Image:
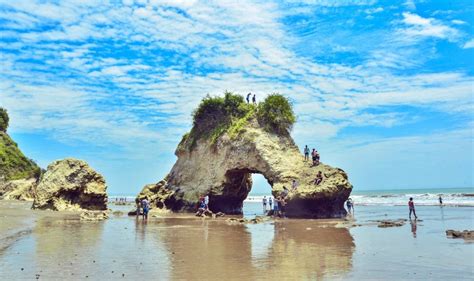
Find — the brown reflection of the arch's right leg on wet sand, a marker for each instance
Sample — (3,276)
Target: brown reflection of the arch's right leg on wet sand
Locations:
(309,250)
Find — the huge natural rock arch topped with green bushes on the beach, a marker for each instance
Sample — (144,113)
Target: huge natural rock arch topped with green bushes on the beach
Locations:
(219,163)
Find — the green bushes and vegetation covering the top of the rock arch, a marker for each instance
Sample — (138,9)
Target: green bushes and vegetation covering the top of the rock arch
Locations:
(230,114)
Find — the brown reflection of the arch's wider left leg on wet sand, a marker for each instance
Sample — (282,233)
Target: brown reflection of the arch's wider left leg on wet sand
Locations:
(205,249)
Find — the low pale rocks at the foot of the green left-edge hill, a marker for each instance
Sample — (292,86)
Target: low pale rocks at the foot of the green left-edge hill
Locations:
(22,189)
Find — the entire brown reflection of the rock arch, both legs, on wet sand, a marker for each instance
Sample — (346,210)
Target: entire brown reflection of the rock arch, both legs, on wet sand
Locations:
(289,249)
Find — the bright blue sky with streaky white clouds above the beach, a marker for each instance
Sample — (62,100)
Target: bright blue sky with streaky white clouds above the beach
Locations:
(383,89)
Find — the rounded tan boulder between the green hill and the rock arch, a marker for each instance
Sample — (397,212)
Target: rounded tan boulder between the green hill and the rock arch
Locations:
(71,184)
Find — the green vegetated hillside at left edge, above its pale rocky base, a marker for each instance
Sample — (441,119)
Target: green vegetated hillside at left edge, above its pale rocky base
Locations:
(13,163)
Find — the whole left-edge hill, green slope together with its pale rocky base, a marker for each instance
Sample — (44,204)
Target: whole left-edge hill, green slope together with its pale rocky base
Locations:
(18,174)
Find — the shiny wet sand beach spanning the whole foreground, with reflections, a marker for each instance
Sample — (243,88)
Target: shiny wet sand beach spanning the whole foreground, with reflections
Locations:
(51,245)
